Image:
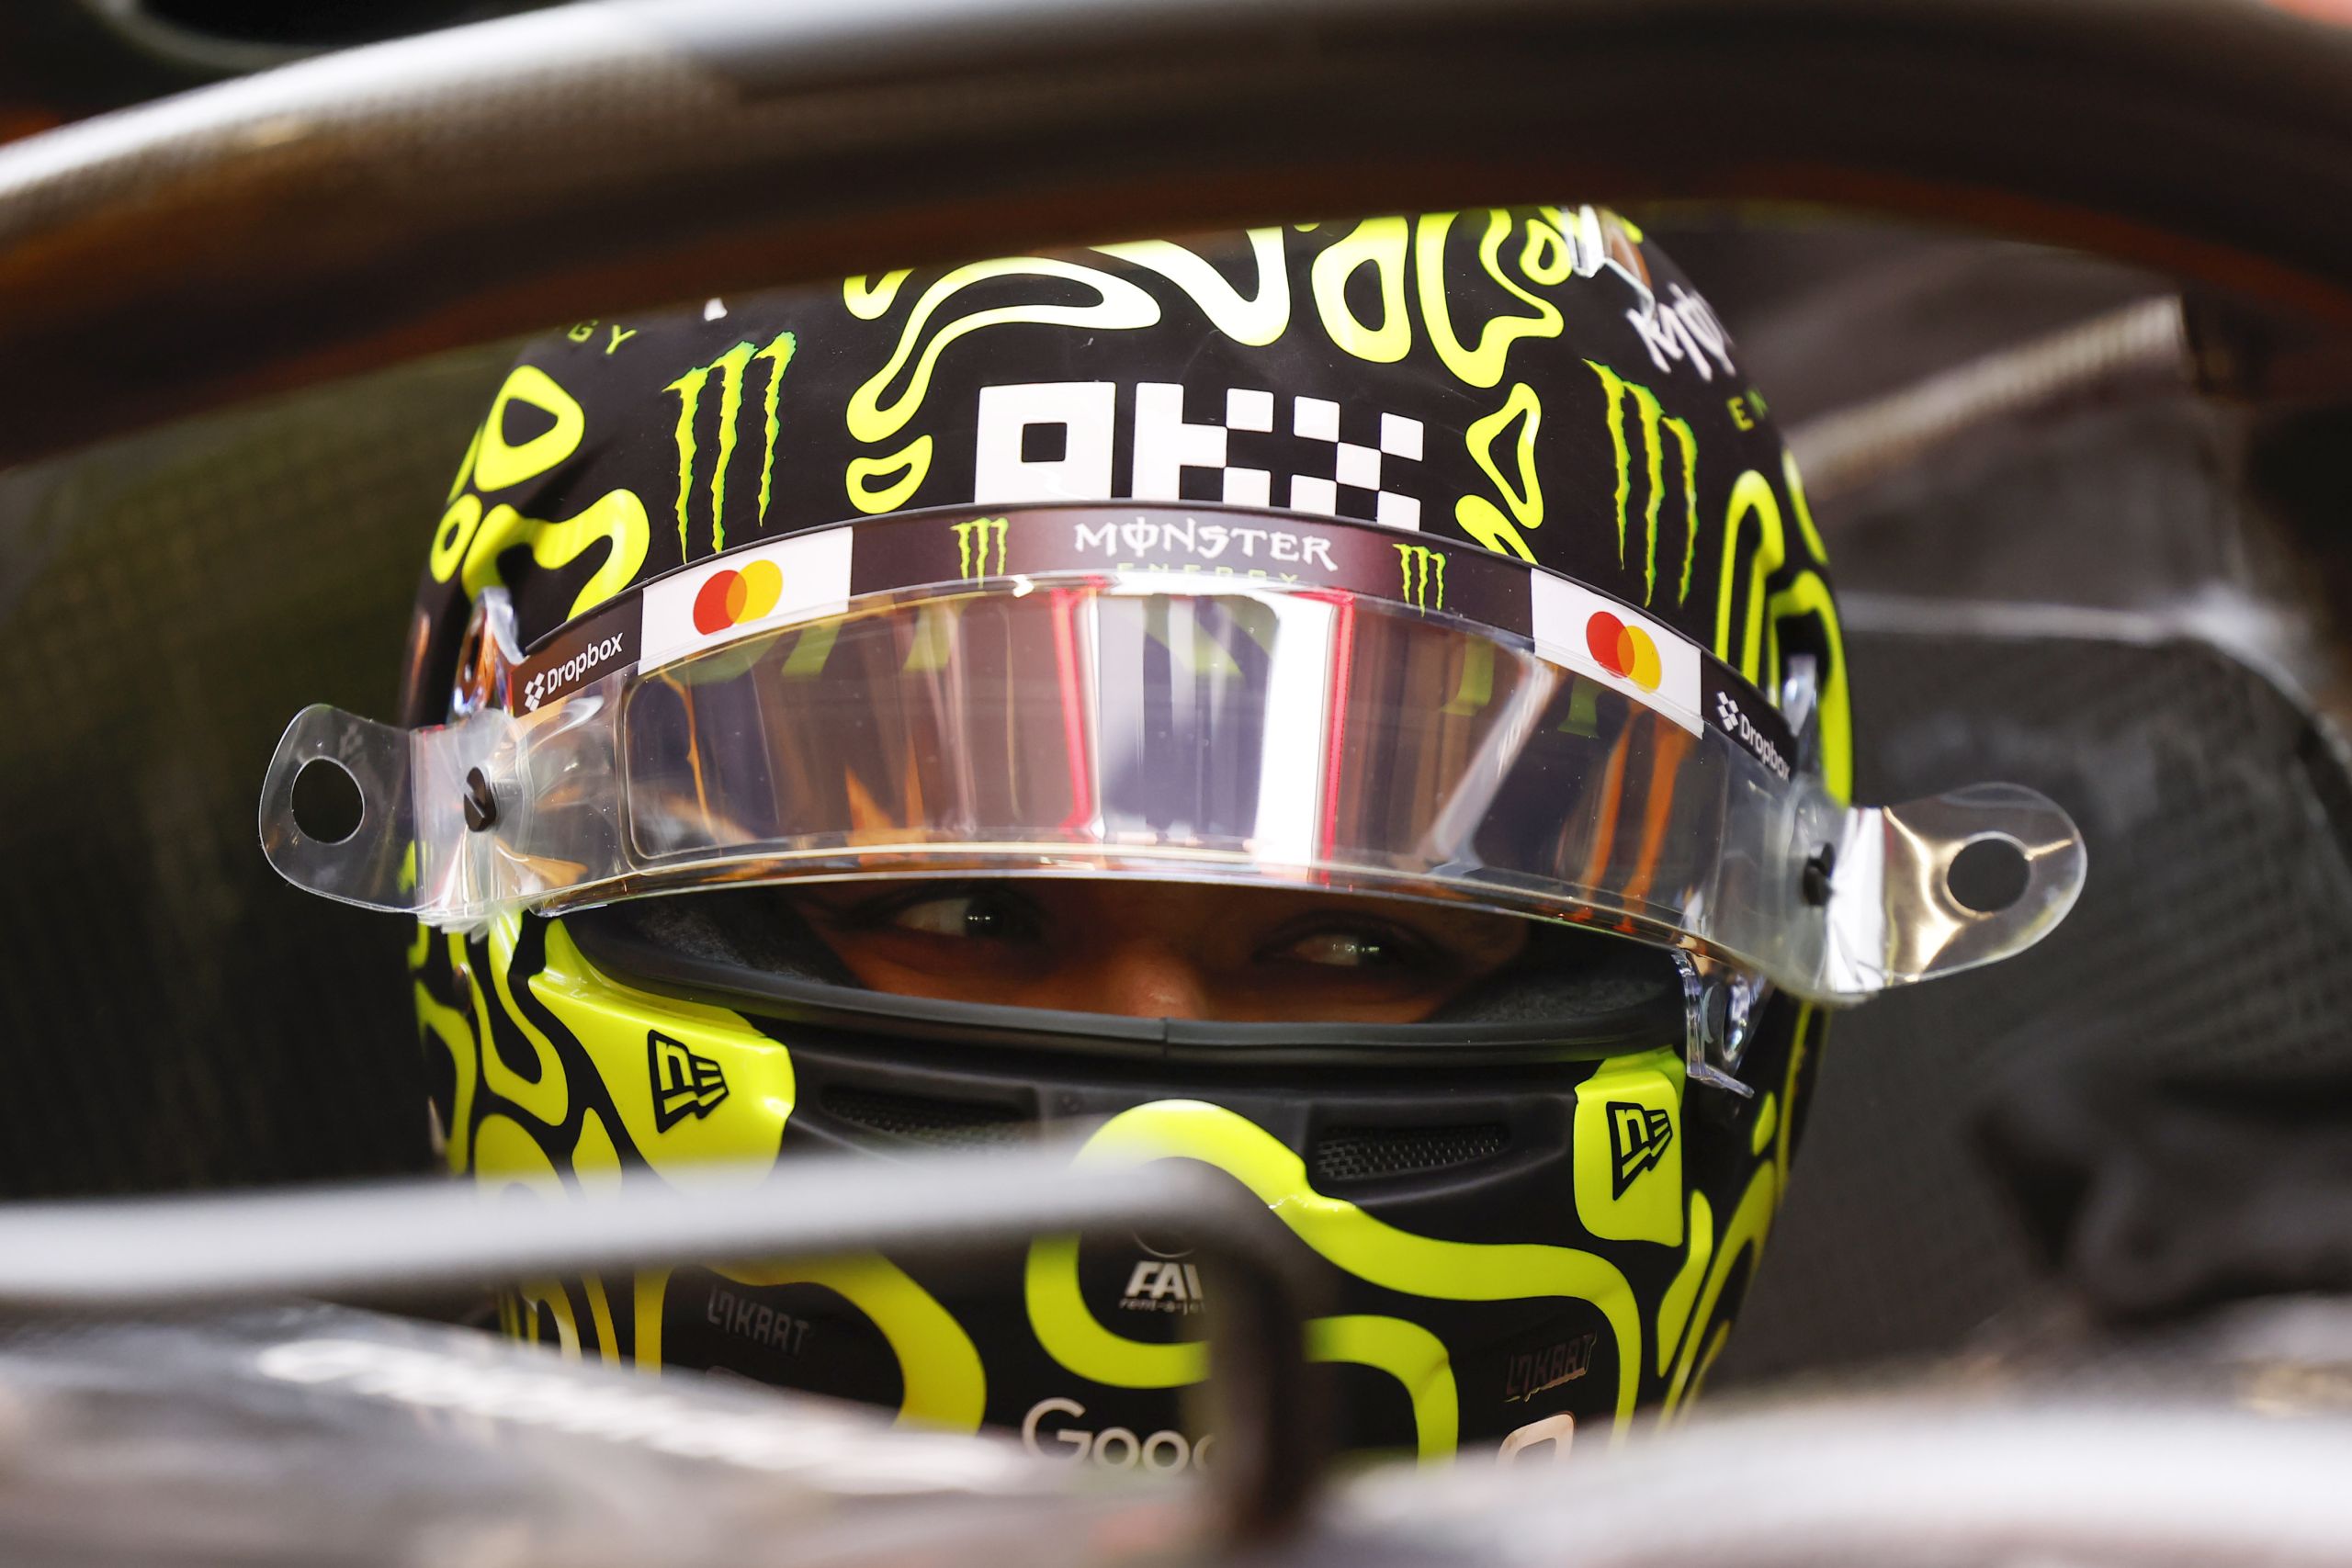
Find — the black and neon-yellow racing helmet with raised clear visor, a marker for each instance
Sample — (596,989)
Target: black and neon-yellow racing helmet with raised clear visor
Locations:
(1443,558)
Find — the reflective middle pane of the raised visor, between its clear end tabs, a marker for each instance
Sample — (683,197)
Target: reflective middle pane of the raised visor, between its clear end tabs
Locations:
(1290,737)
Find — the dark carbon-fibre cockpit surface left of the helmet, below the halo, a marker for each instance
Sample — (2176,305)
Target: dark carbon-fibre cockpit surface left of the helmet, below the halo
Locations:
(173,1014)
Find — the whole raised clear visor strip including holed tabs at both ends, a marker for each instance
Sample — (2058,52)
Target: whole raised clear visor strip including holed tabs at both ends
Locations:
(1163,725)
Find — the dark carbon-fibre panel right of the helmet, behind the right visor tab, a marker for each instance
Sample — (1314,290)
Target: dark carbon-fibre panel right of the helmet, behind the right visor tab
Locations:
(2217,930)
